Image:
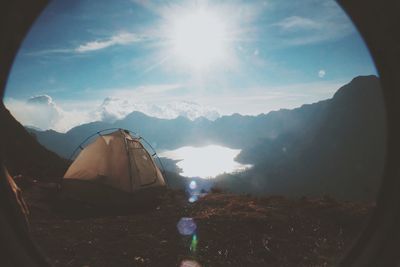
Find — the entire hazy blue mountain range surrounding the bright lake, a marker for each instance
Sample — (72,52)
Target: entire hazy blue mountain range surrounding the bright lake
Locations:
(335,146)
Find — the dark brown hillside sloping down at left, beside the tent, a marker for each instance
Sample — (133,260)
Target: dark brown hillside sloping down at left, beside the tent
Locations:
(23,154)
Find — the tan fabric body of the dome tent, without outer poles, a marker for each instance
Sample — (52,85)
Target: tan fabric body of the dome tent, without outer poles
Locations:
(117,160)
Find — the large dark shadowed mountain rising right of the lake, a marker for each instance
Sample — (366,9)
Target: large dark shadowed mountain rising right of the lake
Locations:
(342,154)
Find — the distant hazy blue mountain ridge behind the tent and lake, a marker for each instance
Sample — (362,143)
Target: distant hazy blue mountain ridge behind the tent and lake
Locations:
(234,131)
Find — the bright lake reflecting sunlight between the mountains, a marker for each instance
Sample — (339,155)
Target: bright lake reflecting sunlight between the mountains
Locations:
(205,162)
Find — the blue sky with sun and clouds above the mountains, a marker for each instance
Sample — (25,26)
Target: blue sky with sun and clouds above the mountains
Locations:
(88,60)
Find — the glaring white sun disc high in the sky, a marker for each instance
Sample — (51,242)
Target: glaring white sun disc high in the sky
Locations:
(199,39)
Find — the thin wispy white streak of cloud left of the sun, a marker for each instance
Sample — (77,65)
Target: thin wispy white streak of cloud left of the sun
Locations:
(119,39)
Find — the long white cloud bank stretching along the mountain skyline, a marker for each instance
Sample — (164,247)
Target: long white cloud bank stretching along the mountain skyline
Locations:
(43,112)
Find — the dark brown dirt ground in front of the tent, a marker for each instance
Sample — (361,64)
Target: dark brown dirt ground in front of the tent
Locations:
(231,230)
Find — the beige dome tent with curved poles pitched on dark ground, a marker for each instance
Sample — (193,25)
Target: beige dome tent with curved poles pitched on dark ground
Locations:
(114,167)
